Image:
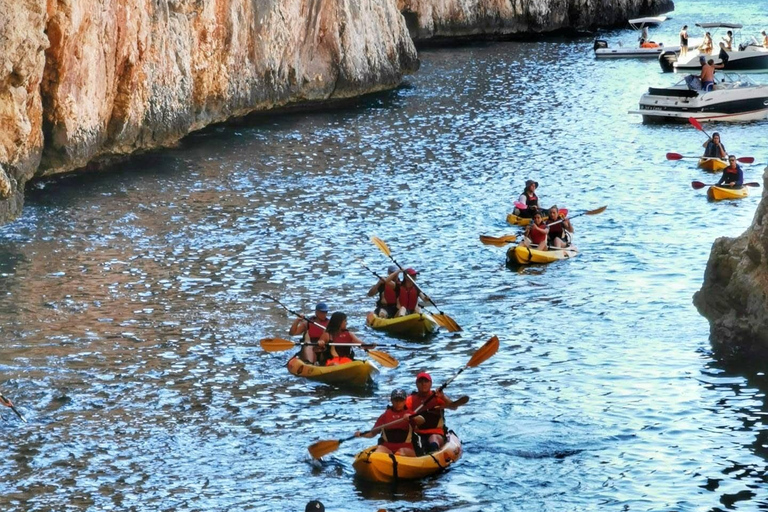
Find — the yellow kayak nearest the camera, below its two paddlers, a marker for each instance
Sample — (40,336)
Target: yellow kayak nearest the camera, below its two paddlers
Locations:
(380,467)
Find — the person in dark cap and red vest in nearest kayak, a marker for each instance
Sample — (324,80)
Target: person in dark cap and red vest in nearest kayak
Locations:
(396,438)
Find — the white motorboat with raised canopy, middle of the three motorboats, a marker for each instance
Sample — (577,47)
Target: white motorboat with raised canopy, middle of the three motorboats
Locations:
(749,55)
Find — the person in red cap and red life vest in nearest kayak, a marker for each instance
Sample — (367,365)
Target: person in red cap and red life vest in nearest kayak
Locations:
(430,434)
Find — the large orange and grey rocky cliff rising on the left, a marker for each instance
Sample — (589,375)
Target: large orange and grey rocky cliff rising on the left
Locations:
(85,80)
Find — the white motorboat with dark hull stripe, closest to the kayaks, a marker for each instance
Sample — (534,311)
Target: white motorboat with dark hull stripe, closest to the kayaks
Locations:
(735,98)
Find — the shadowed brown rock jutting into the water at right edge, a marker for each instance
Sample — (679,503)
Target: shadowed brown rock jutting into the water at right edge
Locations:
(734,296)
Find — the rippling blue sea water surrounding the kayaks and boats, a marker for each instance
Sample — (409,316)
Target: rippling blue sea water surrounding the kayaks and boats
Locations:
(132,312)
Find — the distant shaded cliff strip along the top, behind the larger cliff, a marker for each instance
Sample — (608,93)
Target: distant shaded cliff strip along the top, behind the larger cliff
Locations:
(434,20)
